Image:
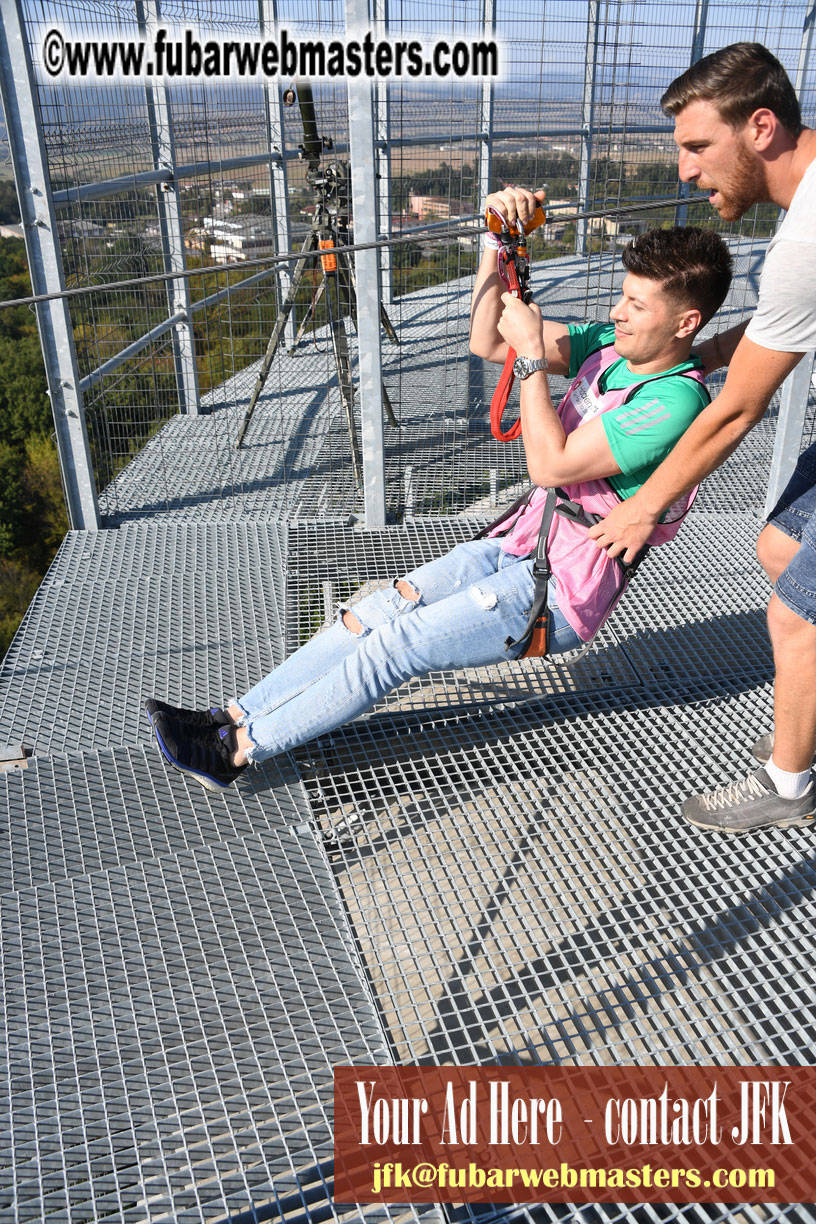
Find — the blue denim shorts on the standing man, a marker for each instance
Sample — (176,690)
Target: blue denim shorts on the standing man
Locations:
(795,515)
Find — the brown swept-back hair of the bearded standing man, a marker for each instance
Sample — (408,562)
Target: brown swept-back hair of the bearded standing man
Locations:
(738,80)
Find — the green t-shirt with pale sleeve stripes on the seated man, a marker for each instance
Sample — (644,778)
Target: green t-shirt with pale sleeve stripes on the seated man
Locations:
(639,441)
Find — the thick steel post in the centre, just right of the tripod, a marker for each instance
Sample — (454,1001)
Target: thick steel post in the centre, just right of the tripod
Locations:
(364,188)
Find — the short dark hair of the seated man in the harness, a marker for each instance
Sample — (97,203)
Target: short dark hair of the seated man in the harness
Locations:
(694,266)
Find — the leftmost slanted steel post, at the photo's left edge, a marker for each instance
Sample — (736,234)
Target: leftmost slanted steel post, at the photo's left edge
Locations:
(21,106)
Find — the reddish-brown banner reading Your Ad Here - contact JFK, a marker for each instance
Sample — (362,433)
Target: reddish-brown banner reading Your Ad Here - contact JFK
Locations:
(577,1135)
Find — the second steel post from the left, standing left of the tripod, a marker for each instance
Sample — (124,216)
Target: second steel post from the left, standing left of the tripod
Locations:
(171,223)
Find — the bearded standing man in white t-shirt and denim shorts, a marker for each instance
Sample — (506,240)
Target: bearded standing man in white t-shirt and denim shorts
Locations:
(738,128)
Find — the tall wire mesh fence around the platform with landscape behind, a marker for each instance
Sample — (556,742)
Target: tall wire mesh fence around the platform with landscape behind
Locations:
(577,111)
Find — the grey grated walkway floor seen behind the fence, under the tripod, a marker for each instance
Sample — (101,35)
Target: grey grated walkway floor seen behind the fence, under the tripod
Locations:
(441,460)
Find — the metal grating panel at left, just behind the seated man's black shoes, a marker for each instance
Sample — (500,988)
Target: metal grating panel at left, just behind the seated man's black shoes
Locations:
(189,613)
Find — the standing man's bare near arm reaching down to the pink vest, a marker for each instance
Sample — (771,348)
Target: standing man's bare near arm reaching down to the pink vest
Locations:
(753,378)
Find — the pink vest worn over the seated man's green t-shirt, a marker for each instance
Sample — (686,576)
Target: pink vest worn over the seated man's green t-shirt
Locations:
(554,523)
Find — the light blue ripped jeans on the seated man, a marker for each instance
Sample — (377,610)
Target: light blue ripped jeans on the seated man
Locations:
(470,603)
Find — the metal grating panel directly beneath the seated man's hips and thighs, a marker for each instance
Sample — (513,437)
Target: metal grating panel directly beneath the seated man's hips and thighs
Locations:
(677,621)
